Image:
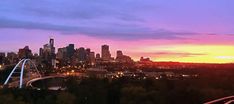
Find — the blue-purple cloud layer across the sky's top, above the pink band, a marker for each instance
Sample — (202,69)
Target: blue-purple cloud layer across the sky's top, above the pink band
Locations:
(128,19)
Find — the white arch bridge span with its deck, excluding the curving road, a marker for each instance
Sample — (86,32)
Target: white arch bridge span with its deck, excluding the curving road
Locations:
(16,77)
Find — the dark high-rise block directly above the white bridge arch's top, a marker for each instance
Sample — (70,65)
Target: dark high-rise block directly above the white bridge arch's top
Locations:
(25,53)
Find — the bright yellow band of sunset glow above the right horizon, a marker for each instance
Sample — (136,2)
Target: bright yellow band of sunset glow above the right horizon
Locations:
(195,54)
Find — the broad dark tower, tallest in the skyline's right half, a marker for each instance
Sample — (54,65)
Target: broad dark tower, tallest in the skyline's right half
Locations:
(106,53)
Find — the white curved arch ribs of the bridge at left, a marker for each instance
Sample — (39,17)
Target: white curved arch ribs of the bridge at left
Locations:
(23,62)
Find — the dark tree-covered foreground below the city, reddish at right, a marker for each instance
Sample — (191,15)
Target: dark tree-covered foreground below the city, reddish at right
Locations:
(211,84)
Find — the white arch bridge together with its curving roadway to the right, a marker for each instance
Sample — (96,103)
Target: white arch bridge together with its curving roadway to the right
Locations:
(25,73)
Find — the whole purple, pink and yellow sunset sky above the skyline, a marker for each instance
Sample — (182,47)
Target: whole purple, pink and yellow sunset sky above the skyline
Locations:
(164,30)
